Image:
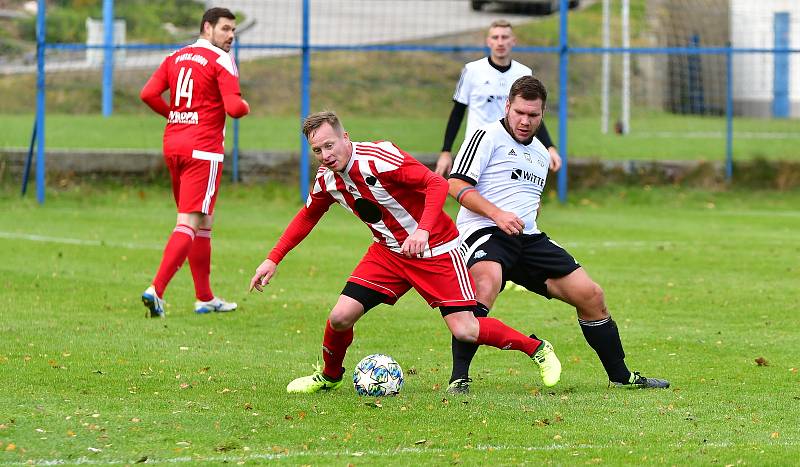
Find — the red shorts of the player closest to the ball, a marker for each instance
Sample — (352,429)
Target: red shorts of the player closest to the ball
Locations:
(442,280)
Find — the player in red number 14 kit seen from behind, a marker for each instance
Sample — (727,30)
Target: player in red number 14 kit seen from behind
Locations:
(204,85)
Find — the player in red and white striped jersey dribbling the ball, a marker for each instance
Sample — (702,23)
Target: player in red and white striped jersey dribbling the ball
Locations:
(401,202)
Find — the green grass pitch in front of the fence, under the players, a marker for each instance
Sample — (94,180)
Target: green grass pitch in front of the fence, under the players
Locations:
(701,284)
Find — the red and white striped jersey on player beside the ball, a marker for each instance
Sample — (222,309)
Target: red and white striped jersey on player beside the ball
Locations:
(390,191)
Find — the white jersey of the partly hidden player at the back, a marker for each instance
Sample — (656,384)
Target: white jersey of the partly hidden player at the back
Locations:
(484,90)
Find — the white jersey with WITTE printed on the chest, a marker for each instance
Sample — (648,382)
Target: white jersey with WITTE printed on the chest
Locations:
(509,174)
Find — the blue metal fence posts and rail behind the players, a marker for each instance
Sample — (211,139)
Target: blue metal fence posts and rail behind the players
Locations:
(305,47)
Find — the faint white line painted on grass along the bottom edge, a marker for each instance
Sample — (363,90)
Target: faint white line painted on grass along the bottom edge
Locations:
(389,452)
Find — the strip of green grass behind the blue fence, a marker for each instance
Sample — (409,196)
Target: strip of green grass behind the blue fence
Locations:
(656,136)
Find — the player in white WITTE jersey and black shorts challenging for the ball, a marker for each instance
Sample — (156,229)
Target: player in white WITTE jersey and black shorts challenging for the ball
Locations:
(498,179)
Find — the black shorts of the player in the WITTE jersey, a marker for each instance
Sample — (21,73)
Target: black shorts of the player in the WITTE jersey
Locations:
(528,260)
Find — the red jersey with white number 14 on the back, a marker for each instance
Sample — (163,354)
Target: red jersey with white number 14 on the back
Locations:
(198,77)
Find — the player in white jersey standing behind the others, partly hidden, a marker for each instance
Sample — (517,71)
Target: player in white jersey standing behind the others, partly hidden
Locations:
(483,89)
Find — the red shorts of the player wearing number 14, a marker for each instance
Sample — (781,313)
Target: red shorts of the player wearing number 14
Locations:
(195,180)
